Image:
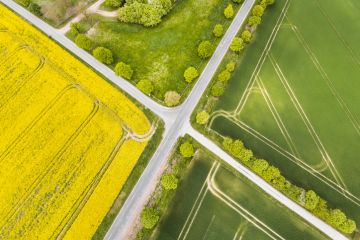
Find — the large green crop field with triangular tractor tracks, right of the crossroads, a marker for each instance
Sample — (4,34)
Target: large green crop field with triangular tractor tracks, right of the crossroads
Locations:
(294,97)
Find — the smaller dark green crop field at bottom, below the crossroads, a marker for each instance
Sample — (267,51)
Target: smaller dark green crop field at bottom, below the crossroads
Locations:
(213,203)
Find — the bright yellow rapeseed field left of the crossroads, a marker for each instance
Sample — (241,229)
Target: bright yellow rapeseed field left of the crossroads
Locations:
(67,141)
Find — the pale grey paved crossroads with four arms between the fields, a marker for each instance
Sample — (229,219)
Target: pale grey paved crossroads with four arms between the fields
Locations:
(177,123)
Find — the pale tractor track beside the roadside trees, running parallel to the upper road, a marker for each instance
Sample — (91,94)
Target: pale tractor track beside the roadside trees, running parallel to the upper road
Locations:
(262,58)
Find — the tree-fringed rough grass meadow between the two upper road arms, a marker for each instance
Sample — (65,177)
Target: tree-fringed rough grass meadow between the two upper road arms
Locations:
(162,53)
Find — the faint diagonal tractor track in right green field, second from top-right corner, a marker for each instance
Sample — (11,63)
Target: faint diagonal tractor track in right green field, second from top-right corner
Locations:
(326,78)
